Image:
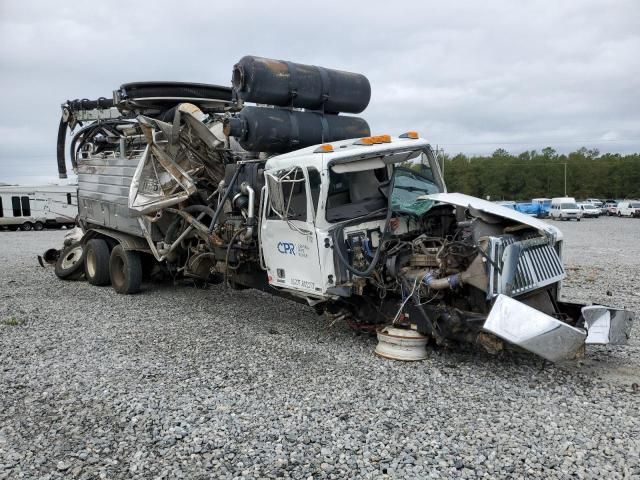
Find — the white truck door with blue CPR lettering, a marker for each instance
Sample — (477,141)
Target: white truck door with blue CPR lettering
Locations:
(288,239)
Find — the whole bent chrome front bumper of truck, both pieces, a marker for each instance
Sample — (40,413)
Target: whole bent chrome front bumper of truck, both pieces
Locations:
(551,338)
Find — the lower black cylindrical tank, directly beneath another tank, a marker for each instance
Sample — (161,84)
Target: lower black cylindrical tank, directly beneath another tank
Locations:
(276,130)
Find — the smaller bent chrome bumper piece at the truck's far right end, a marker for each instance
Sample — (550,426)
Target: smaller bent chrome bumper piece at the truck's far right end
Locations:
(607,325)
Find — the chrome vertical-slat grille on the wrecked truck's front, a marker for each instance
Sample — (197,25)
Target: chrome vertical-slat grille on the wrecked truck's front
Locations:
(537,265)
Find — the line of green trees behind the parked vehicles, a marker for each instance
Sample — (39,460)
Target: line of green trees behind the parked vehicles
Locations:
(532,174)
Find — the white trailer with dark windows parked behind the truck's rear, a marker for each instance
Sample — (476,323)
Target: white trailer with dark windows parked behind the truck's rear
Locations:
(38,207)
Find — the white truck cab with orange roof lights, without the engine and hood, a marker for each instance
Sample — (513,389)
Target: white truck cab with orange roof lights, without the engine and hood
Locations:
(312,192)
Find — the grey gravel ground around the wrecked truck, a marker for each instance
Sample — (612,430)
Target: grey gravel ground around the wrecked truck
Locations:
(189,383)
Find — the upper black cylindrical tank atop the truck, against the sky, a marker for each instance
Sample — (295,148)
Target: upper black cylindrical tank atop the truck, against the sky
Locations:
(288,84)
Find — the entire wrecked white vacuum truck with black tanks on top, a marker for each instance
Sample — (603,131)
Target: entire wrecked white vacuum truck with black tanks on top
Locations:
(292,197)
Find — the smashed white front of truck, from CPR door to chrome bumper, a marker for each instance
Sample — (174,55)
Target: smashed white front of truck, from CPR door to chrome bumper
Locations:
(454,266)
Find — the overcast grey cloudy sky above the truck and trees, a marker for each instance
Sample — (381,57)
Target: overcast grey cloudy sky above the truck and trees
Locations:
(469,76)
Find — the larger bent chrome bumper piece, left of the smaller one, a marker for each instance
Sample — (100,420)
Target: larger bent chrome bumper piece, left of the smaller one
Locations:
(534,330)
